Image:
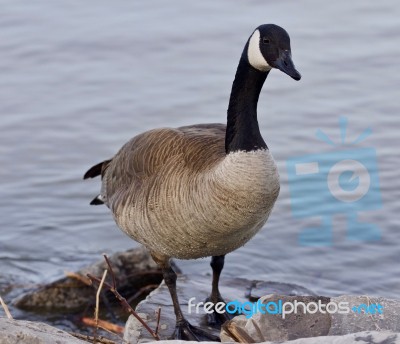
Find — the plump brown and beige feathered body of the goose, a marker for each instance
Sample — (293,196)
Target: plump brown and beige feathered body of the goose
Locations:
(177,192)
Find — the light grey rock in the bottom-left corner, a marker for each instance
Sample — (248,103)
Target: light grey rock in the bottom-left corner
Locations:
(27,332)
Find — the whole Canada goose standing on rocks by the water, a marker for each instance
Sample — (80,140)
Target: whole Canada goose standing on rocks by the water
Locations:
(205,189)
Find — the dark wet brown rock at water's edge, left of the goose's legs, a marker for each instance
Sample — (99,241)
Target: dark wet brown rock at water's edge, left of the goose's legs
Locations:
(134,269)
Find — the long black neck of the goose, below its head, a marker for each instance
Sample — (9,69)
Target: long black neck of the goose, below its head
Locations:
(242,131)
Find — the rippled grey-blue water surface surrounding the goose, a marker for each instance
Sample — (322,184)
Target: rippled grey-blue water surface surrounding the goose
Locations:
(80,79)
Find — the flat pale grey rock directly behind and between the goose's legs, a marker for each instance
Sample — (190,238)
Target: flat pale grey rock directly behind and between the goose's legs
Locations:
(193,286)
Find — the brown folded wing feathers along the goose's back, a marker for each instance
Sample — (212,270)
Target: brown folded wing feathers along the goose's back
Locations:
(148,155)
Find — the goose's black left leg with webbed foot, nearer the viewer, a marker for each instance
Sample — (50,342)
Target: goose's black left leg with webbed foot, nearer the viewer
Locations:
(183,329)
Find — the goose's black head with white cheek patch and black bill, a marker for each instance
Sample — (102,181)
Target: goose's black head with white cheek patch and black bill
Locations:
(269,47)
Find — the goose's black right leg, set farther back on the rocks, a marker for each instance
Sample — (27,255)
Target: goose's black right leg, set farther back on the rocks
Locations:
(217,319)
